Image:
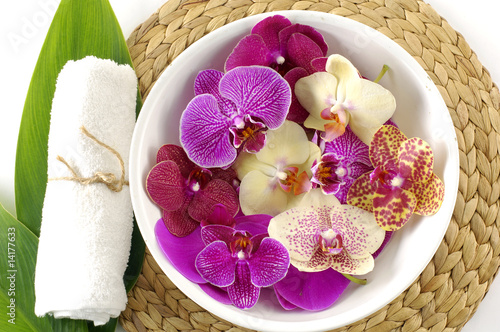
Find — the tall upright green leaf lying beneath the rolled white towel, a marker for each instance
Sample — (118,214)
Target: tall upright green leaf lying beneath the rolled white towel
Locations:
(79,28)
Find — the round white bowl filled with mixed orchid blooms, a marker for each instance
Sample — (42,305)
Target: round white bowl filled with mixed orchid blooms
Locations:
(293,162)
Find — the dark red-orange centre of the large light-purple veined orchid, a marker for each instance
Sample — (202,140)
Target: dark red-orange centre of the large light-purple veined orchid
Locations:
(249,134)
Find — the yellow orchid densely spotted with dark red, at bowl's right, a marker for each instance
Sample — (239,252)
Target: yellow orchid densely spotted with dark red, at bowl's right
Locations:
(403,182)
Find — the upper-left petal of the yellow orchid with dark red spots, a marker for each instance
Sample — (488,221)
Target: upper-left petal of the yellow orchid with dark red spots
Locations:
(384,148)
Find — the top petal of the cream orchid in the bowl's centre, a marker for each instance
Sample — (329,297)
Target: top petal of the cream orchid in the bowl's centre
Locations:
(285,146)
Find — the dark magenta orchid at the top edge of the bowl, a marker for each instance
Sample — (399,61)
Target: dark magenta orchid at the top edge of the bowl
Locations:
(277,43)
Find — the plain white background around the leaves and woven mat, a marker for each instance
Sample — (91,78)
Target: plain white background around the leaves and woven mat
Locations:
(24,24)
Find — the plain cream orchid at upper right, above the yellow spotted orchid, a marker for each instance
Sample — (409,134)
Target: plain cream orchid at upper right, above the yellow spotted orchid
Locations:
(339,97)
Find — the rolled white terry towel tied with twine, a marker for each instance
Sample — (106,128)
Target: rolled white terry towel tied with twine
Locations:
(86,229)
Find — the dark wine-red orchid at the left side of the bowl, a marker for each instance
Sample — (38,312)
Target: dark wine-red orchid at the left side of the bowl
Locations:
(186,193)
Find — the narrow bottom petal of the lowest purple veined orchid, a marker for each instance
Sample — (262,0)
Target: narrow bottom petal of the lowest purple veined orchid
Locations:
(242,292)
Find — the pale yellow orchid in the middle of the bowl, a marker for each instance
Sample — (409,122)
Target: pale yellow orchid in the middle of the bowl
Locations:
(281,170)
